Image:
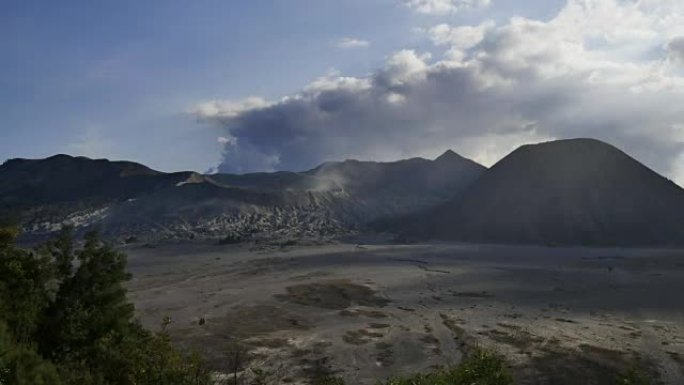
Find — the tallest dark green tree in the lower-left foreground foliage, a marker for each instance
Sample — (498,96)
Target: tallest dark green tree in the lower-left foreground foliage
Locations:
(90,312)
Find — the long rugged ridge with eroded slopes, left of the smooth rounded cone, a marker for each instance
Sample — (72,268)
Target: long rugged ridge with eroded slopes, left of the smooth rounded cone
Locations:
(127,200)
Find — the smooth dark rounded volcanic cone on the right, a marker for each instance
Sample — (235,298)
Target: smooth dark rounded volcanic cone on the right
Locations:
(574,192)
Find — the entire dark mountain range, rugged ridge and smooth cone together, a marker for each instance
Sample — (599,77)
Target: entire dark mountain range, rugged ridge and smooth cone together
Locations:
(572,192)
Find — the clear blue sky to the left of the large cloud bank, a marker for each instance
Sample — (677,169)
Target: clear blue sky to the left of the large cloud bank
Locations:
(113,78)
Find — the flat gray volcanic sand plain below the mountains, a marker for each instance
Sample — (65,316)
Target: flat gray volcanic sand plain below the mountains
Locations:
(560,315)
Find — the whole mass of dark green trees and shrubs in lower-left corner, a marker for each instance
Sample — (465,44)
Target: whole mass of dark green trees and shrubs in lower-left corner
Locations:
(65,319)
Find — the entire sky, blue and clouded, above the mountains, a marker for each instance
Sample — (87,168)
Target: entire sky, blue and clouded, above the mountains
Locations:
(124,79)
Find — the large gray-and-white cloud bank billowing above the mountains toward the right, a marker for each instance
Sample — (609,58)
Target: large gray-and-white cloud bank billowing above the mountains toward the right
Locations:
(606,69)
